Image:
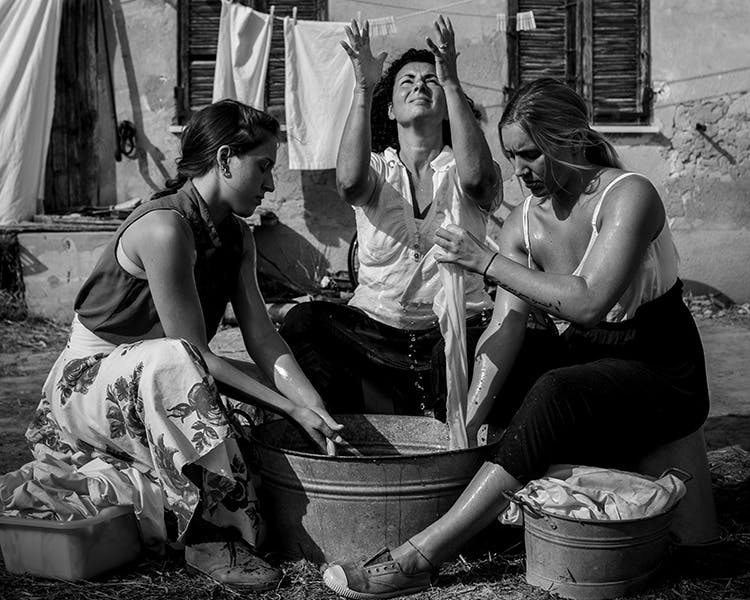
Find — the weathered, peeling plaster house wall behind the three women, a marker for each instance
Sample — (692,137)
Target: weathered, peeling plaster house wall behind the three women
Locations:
(700,73)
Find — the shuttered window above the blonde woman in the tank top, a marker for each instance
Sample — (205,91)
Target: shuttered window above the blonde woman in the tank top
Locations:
(598,47)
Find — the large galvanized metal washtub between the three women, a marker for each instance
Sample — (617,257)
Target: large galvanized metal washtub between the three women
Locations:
(397,478)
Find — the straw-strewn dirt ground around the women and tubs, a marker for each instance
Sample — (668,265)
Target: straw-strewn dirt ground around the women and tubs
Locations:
(494,567)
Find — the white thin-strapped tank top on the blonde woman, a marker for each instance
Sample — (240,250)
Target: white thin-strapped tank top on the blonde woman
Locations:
(656,274)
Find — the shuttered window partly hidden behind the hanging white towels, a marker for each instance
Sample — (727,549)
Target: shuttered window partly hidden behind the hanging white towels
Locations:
(197,36)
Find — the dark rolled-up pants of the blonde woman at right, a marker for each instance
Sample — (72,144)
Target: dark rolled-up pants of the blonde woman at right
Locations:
(607,395)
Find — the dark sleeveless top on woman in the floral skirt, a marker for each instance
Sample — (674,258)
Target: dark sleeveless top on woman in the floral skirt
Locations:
(119,308)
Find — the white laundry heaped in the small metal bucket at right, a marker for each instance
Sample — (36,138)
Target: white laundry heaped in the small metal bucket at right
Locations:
(594,493)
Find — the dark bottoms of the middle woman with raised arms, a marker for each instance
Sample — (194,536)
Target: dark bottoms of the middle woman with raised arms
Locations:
(361,365)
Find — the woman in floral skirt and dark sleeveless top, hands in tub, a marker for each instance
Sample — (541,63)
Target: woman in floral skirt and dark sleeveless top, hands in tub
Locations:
(136,385)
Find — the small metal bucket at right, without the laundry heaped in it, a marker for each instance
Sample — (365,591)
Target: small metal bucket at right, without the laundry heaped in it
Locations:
(593,560)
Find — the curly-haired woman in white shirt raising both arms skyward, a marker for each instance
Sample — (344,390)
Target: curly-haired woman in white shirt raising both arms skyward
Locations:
(412,150)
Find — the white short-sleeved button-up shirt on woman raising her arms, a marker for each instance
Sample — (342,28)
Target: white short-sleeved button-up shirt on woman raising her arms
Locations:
(398,275)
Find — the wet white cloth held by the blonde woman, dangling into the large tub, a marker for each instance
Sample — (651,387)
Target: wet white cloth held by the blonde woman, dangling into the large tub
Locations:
(450,308)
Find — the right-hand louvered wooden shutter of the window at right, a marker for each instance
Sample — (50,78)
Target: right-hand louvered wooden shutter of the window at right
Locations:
(619,61)
